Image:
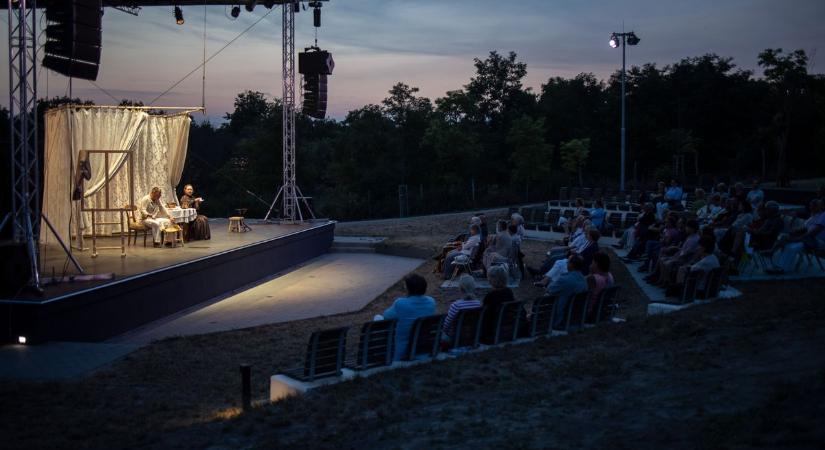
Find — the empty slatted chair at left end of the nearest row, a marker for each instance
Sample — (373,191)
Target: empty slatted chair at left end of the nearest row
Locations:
(324,357)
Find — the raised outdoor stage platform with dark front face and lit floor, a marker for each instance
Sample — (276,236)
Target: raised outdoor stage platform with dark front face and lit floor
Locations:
(152,283)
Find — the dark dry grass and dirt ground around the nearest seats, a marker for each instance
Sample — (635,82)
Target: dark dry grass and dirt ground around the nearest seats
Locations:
(743,373)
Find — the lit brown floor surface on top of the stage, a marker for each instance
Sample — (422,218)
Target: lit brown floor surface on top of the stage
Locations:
(140,259)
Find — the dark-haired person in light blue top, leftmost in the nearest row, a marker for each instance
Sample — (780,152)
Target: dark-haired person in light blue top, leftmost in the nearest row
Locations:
(406,309)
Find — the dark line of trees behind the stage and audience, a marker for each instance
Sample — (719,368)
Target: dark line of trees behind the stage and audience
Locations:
(495,142)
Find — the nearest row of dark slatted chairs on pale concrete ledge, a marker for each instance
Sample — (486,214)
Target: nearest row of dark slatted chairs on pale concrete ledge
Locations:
(326,351)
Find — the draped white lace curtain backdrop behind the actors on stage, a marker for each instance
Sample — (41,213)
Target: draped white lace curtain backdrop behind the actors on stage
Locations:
(158,148)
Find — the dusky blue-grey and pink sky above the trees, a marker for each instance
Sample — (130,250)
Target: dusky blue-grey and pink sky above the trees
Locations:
(425,43)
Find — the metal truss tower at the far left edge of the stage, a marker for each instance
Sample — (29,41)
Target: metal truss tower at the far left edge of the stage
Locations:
(24,216)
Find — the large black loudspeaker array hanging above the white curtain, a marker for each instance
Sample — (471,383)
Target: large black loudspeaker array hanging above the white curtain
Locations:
(73,37)
